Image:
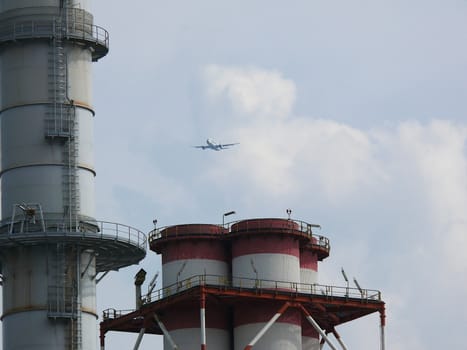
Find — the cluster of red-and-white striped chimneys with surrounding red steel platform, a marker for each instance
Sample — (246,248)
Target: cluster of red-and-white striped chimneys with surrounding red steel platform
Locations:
(251,284)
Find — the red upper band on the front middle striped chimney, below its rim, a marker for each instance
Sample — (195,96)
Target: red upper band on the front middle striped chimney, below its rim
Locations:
(265,244)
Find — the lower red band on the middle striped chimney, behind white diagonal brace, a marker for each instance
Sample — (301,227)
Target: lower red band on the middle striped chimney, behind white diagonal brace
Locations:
(257,312)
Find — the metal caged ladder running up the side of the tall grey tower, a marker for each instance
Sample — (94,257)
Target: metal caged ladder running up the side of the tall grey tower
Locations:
(61,127)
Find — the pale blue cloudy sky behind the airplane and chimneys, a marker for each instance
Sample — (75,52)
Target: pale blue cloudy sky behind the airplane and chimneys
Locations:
(351,113)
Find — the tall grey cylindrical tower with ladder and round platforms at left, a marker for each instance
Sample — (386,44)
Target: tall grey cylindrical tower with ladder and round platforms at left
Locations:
(51,245)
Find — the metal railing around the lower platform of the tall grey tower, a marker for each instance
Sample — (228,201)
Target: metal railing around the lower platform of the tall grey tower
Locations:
(92,229)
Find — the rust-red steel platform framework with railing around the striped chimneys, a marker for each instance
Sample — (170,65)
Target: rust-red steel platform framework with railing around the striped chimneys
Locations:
(328,311)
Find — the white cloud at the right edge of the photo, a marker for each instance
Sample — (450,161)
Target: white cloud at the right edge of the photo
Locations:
(438,152)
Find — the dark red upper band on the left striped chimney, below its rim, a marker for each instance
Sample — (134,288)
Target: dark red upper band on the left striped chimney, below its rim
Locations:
(195,249)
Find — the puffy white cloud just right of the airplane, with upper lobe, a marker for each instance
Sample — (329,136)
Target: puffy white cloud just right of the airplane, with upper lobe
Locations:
(284,154)
